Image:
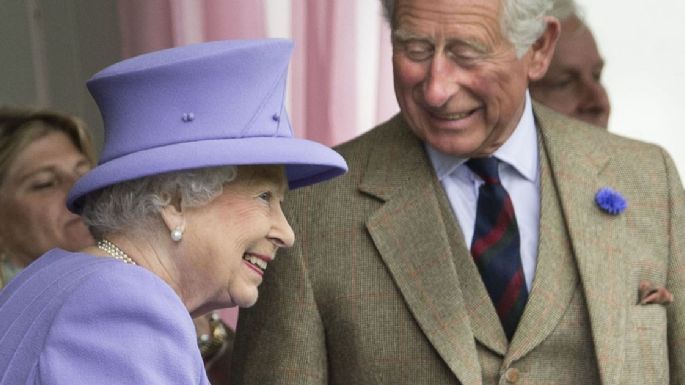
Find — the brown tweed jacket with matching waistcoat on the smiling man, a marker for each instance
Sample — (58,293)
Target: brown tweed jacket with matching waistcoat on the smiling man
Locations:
(380,287)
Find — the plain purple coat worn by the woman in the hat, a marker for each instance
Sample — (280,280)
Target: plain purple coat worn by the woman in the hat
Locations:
(73,318)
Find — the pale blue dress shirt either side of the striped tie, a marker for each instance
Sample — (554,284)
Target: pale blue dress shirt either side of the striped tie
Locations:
(520,176)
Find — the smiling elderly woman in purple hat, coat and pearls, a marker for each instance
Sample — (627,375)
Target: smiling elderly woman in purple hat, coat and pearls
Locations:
(186,206)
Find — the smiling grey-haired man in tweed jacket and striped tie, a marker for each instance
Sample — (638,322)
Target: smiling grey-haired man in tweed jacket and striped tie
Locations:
(382,286)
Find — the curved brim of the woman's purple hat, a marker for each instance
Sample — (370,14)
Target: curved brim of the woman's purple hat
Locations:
(305,162)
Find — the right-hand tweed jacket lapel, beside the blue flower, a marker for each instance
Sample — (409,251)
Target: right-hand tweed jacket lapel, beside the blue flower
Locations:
(576,167)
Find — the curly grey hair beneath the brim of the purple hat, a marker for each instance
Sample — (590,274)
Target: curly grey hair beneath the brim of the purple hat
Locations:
(135,205)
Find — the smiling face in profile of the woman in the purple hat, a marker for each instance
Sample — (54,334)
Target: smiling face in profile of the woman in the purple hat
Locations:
(236,235)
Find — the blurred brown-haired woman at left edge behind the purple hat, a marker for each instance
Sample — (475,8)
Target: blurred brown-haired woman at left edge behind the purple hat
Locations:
(42,153)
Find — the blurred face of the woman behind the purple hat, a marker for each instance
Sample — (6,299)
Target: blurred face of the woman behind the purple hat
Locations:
(33,213)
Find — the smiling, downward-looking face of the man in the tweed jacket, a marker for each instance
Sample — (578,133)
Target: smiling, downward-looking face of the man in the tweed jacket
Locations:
(457,78)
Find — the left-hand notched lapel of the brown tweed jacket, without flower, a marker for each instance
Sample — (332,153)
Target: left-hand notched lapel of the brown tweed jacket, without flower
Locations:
(410,236)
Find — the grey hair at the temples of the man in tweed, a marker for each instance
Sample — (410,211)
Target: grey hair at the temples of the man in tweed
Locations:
(522,20)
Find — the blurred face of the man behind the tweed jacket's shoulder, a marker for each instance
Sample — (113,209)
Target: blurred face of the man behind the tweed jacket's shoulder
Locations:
(572,85)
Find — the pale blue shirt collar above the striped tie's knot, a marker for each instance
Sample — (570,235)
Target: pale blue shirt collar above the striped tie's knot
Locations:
(519,151)
